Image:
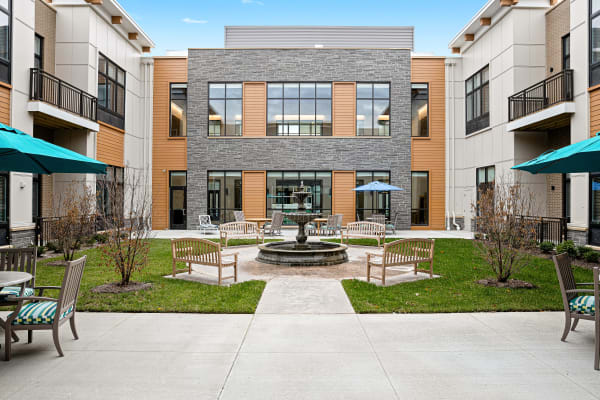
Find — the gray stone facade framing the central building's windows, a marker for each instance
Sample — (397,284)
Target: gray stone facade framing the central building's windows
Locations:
(391,153)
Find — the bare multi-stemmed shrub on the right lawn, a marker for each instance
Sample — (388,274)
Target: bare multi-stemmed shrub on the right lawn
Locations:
(504,233)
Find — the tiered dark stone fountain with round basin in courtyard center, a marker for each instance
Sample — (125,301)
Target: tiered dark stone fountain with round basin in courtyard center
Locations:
(302,253)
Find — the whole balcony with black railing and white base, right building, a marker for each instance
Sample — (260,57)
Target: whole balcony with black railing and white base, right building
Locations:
(545,105)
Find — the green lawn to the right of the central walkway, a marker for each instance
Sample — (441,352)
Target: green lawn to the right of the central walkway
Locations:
(457,261)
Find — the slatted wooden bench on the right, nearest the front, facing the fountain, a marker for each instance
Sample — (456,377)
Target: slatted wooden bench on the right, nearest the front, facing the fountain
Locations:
(402,252)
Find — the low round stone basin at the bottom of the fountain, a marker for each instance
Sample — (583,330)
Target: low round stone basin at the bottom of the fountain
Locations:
(310,254)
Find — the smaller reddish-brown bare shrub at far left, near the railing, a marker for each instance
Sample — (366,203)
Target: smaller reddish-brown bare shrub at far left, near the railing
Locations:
(76,218)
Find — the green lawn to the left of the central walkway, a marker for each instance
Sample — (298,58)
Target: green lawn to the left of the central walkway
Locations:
(166,295)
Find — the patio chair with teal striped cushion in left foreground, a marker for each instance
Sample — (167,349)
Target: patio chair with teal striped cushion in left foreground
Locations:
(46,313)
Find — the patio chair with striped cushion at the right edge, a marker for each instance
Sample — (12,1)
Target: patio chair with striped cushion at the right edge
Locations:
(578,303)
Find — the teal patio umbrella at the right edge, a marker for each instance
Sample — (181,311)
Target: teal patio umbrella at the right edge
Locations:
(583,156)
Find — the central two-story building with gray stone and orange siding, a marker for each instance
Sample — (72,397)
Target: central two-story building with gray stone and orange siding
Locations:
(240,128)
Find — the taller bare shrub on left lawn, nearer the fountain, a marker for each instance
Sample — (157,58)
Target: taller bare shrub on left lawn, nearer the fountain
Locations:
(125,210)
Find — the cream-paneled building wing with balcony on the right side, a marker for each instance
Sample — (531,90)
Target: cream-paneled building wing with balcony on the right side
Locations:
(518,88)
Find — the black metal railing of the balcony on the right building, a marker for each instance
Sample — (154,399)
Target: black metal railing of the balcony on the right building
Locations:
(552,90)
